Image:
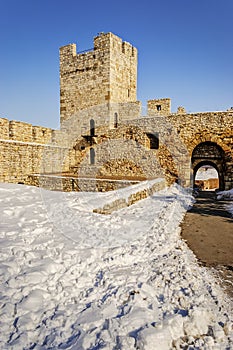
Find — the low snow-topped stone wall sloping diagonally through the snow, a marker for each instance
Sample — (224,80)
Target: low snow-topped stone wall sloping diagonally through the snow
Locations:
(136,194)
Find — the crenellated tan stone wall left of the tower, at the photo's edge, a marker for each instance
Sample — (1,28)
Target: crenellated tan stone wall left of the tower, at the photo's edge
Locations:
(27,149)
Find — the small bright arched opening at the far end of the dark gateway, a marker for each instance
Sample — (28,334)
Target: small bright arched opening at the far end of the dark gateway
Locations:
(206,178)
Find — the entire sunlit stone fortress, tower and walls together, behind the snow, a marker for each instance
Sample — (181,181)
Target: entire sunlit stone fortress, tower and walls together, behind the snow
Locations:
(104,136)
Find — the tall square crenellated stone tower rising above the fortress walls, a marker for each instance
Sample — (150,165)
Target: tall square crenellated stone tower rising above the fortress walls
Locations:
(105,75)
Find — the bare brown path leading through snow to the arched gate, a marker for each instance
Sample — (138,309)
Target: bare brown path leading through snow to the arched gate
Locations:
(208,230)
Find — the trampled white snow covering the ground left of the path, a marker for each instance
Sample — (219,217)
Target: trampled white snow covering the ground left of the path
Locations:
(72,279)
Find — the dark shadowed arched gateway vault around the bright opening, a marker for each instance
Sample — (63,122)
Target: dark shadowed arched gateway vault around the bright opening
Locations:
(209,153)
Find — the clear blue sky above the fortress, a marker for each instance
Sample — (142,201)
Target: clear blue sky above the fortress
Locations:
(185,51)
